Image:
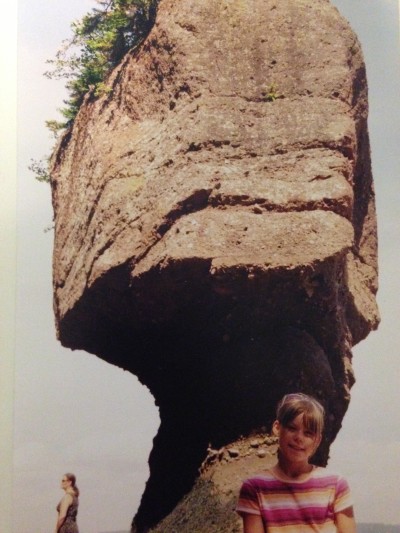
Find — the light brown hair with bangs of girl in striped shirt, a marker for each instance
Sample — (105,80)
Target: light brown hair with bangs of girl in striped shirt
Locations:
(298,403)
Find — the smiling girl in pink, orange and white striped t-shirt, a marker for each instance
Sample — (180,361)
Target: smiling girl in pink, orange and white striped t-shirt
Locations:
(295,496)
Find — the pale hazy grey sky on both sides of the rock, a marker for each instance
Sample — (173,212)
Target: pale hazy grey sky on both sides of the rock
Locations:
(74,412)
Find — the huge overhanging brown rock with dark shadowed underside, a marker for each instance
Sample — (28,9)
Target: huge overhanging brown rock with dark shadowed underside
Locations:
(215,223)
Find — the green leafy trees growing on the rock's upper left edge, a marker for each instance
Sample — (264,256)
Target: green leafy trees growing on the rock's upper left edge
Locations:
(100,39)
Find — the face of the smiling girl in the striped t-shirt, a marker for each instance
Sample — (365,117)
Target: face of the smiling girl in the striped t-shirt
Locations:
(296,443)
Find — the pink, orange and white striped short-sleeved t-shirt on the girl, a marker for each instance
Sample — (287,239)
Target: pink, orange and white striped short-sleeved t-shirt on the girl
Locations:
(288,506)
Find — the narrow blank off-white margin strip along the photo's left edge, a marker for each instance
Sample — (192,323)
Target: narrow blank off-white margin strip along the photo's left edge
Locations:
(8,200)
